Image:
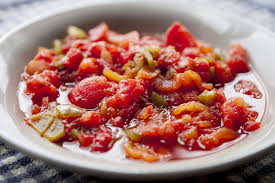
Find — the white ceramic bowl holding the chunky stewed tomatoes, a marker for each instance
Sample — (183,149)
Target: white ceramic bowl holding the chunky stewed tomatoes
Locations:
(20,45)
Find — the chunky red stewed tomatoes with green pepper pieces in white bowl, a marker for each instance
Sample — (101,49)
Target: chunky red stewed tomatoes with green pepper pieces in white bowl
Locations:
(155,94)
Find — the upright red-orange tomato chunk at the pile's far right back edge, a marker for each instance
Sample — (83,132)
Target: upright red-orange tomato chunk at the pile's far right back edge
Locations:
(237,59)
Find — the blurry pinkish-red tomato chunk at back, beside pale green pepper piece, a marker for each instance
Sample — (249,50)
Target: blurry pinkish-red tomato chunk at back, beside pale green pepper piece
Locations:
(99,32)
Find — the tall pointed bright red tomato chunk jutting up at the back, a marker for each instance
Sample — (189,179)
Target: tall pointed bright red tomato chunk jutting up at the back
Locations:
(179,37)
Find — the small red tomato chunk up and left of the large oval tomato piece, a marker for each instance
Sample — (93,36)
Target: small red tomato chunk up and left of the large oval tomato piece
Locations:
(72,59)
